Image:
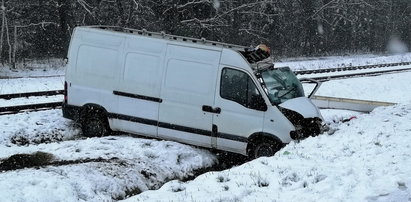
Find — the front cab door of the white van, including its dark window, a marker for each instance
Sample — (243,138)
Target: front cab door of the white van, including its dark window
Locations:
(240,114)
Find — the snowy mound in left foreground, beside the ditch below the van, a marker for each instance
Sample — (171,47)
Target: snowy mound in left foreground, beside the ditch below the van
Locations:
(130,163)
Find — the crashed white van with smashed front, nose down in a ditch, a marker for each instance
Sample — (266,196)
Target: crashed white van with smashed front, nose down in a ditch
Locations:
(194,91)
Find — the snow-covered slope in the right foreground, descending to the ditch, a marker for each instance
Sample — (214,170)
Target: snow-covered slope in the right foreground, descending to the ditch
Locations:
(367,159)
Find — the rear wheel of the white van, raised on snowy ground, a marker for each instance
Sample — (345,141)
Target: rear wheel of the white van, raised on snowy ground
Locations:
(94,124)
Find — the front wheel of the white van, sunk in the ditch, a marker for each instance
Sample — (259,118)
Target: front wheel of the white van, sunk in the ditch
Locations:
(264,147)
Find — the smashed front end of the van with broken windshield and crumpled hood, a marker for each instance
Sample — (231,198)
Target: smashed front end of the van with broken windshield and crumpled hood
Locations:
(286,92)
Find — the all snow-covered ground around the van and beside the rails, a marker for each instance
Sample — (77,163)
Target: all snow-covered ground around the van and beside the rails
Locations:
(365,159)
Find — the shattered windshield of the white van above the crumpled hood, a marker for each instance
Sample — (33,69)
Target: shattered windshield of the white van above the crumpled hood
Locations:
(281,84)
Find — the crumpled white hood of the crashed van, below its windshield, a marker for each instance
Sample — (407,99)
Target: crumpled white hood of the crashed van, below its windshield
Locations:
(303,106)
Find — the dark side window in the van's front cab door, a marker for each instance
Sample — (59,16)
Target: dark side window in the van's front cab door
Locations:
(237,86)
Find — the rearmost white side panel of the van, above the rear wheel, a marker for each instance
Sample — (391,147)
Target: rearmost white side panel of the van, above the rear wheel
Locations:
(93,57)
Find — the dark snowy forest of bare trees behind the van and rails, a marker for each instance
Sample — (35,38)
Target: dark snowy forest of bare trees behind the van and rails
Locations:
(42,28)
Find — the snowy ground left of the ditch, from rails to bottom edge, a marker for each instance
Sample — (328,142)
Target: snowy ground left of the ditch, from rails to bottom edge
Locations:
(94,169)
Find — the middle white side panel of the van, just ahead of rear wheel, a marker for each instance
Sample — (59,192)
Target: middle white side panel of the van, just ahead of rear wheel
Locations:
(138,90)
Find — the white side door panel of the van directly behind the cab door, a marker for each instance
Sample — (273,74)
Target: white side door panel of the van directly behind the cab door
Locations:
(187,94)
